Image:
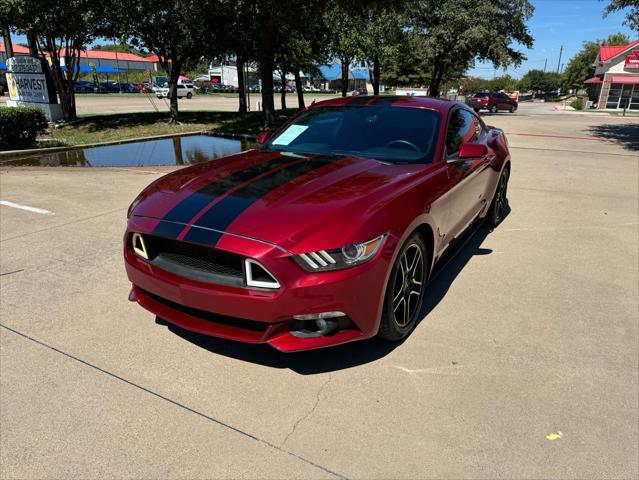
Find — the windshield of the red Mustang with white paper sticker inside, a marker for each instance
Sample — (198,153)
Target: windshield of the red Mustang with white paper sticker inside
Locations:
(382,132)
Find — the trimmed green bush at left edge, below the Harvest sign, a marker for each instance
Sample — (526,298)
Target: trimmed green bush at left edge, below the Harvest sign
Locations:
(19,127)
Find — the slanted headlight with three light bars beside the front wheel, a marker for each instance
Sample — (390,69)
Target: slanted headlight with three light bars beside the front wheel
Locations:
(338,258)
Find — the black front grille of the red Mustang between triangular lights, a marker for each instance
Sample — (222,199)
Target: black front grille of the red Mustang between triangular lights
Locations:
(194,261)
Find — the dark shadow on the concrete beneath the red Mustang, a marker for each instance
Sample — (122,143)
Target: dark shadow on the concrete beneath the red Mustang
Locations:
(352,354)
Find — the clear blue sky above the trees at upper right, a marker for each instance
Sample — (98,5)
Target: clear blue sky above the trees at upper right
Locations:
(556,23)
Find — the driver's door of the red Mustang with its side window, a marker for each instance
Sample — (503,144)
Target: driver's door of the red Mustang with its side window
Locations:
(468,178)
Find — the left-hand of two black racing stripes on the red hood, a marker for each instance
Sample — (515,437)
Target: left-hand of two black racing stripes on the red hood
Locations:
(184,211)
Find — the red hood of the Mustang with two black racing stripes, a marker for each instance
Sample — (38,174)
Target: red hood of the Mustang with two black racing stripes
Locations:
(296,202)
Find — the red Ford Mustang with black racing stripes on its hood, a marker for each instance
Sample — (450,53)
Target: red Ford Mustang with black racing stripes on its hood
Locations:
(324,235)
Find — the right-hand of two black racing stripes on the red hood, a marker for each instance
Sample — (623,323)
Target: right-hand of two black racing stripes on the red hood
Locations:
(222,214)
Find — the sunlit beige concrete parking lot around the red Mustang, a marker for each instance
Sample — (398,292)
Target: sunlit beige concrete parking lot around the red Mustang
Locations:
(524,366)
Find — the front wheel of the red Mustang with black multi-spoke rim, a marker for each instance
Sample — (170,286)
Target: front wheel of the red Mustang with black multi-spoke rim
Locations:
(401,308)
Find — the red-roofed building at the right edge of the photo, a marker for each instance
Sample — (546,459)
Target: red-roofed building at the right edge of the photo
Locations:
(615,85)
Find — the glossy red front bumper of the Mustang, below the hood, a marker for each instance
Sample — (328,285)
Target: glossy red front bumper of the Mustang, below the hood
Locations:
(261,315)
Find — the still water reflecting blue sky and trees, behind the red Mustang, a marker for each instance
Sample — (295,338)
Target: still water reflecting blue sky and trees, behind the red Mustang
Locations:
(169,151)
